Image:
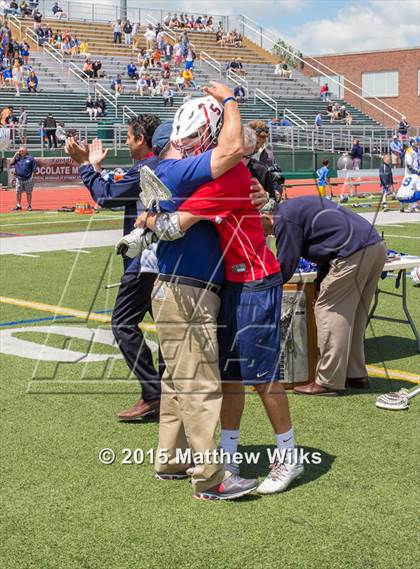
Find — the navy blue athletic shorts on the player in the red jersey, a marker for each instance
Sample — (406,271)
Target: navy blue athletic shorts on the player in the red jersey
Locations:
(249,329)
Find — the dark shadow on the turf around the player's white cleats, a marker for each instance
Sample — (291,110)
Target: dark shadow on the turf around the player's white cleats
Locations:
(312,471)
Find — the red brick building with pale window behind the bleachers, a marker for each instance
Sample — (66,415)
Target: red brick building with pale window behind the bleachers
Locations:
(391,75)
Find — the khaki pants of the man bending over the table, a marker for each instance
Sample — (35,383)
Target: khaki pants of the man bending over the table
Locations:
(341,314)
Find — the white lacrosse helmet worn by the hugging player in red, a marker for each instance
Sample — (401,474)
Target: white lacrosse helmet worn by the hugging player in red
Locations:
(199,121)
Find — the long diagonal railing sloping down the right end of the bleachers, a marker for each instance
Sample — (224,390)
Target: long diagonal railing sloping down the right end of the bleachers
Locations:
(265,39)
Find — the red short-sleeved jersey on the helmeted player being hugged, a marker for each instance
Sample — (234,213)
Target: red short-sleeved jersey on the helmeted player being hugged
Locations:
(226,202)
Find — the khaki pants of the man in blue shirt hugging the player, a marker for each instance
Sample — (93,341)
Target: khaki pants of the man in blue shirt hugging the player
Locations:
(186,321)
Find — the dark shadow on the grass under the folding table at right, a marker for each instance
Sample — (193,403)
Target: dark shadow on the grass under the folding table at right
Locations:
(386,348)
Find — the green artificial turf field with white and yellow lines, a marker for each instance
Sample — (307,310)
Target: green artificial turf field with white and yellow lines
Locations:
(62,508)
